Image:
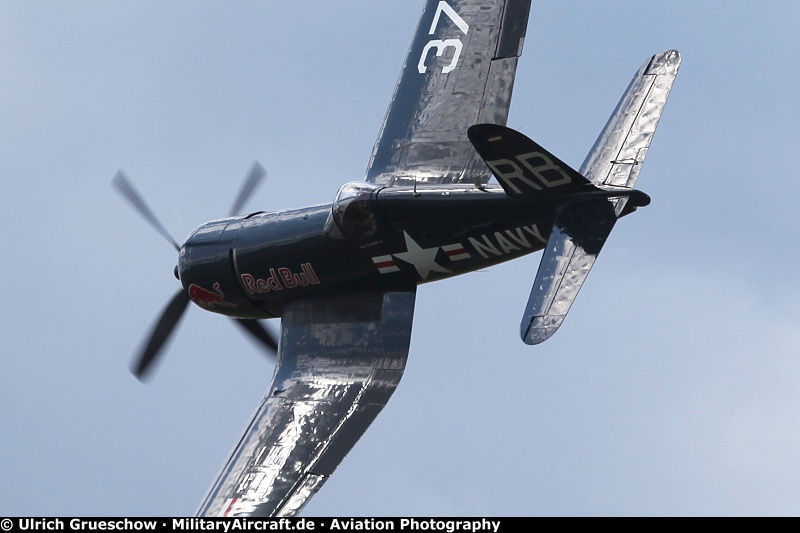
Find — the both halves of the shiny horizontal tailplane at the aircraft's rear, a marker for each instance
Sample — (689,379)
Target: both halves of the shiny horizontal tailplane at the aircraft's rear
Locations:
(581,228)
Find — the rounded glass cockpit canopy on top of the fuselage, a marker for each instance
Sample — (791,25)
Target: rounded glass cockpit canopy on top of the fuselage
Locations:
(355,210)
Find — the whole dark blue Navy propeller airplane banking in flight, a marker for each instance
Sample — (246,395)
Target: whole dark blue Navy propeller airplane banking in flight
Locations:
(342,277)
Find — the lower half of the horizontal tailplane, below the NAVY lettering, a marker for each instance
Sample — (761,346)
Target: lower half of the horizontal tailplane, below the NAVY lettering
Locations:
(578,235)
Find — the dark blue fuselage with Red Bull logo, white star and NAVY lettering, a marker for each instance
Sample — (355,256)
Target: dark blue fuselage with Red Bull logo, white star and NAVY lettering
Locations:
(370,238)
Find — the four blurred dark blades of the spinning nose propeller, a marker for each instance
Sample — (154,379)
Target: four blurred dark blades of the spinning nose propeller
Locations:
(173,312)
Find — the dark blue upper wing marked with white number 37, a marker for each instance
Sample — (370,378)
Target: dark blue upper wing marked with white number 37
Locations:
(459,71)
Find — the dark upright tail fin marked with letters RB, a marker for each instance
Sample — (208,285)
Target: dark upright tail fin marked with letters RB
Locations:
(522,167)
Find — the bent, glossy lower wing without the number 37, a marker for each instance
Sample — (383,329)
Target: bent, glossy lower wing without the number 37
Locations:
(339,361)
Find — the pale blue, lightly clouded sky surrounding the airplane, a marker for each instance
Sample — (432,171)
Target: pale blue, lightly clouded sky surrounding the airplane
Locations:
(673,388)
